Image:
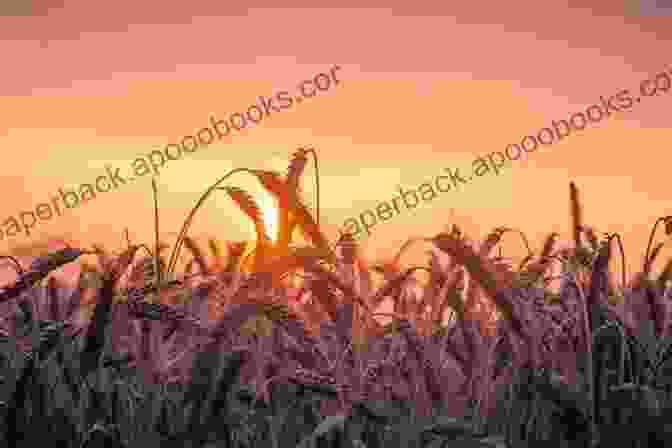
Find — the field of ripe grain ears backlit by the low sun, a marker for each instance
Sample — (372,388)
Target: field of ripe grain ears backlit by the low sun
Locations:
(278,344)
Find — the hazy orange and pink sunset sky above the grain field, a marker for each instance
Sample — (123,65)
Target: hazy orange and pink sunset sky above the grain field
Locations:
(87,84)
